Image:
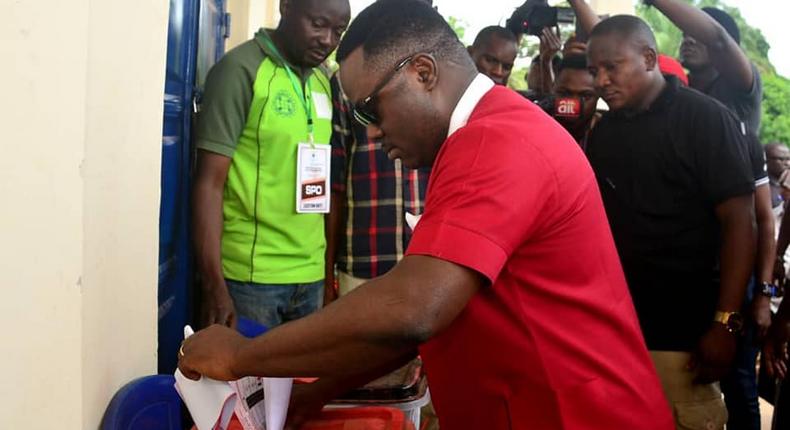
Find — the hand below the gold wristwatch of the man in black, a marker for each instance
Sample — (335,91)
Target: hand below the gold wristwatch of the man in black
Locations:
(714,355)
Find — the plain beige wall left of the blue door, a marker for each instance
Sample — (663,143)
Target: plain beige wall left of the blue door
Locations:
(81,118)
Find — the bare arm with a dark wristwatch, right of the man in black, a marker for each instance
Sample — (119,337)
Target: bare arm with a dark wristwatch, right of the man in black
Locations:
(766,254)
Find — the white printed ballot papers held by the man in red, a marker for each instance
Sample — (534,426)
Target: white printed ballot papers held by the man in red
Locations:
(258,403)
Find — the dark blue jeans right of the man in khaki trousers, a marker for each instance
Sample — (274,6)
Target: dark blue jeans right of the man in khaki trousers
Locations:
(740,385)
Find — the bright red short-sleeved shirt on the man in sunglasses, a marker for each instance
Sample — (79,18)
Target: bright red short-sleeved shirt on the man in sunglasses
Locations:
(553,342)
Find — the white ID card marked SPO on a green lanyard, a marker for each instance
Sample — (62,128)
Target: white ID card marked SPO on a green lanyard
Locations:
(312,160)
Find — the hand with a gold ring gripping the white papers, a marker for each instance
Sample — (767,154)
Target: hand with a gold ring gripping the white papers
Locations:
(211,353)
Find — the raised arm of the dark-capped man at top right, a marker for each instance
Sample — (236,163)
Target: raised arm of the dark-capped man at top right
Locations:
(727,57)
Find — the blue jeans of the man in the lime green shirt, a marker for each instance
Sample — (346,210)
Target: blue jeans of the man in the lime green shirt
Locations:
(275,304)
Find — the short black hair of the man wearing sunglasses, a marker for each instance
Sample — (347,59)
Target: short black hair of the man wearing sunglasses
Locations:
(388,31)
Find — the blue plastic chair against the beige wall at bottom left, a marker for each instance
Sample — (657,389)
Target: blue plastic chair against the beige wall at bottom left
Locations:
(147,403)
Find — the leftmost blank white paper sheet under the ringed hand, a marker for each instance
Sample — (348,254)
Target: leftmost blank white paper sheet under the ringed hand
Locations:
(209,402)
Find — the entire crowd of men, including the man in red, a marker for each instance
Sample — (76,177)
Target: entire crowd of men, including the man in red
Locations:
(570,268)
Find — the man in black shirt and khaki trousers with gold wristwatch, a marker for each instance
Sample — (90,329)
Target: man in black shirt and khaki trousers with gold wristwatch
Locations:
(678,190)
